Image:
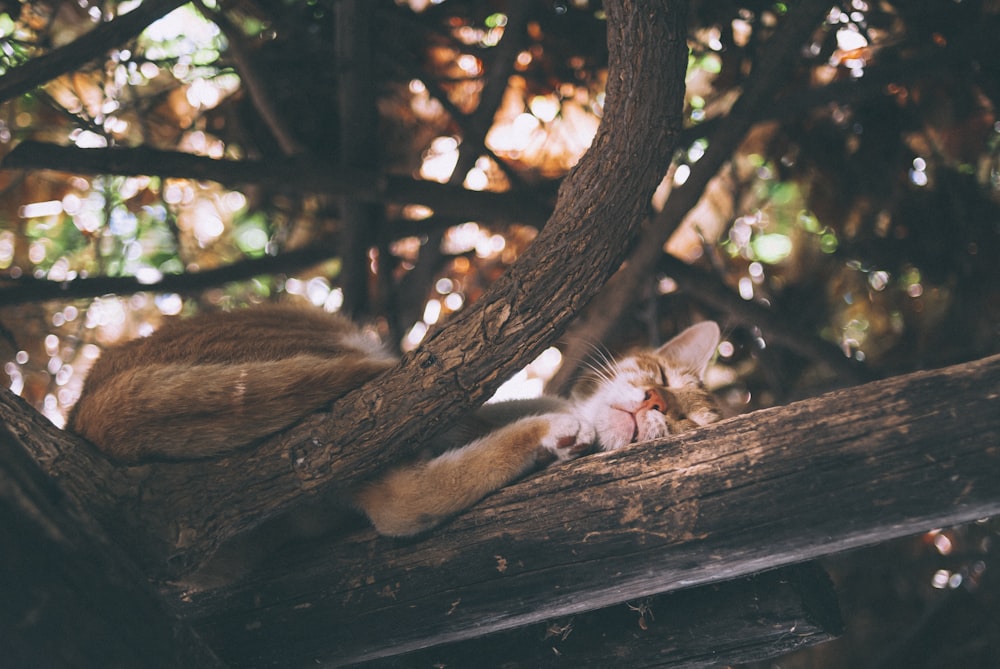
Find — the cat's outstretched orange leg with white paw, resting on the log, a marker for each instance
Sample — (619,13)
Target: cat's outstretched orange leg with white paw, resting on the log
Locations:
(415,498)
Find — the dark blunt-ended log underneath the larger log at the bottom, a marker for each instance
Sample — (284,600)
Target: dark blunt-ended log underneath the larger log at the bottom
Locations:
(739,621)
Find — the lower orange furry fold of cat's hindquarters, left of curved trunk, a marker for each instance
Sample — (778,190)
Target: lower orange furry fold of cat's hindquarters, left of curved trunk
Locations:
(195,411)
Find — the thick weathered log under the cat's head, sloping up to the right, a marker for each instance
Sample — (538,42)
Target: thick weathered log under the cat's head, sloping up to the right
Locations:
(779,486)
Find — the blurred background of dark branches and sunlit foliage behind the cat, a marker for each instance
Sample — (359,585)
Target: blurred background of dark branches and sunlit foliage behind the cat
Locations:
(841,219)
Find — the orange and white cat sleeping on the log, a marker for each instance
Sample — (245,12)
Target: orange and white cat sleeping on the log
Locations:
(217,382)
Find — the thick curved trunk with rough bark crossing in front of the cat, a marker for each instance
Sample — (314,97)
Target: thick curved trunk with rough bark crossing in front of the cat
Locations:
(183,511)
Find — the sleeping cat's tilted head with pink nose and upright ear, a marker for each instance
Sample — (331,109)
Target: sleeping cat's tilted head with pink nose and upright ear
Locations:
(651,394)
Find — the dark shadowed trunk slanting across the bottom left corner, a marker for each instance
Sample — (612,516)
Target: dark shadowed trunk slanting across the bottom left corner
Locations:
(70,597)
